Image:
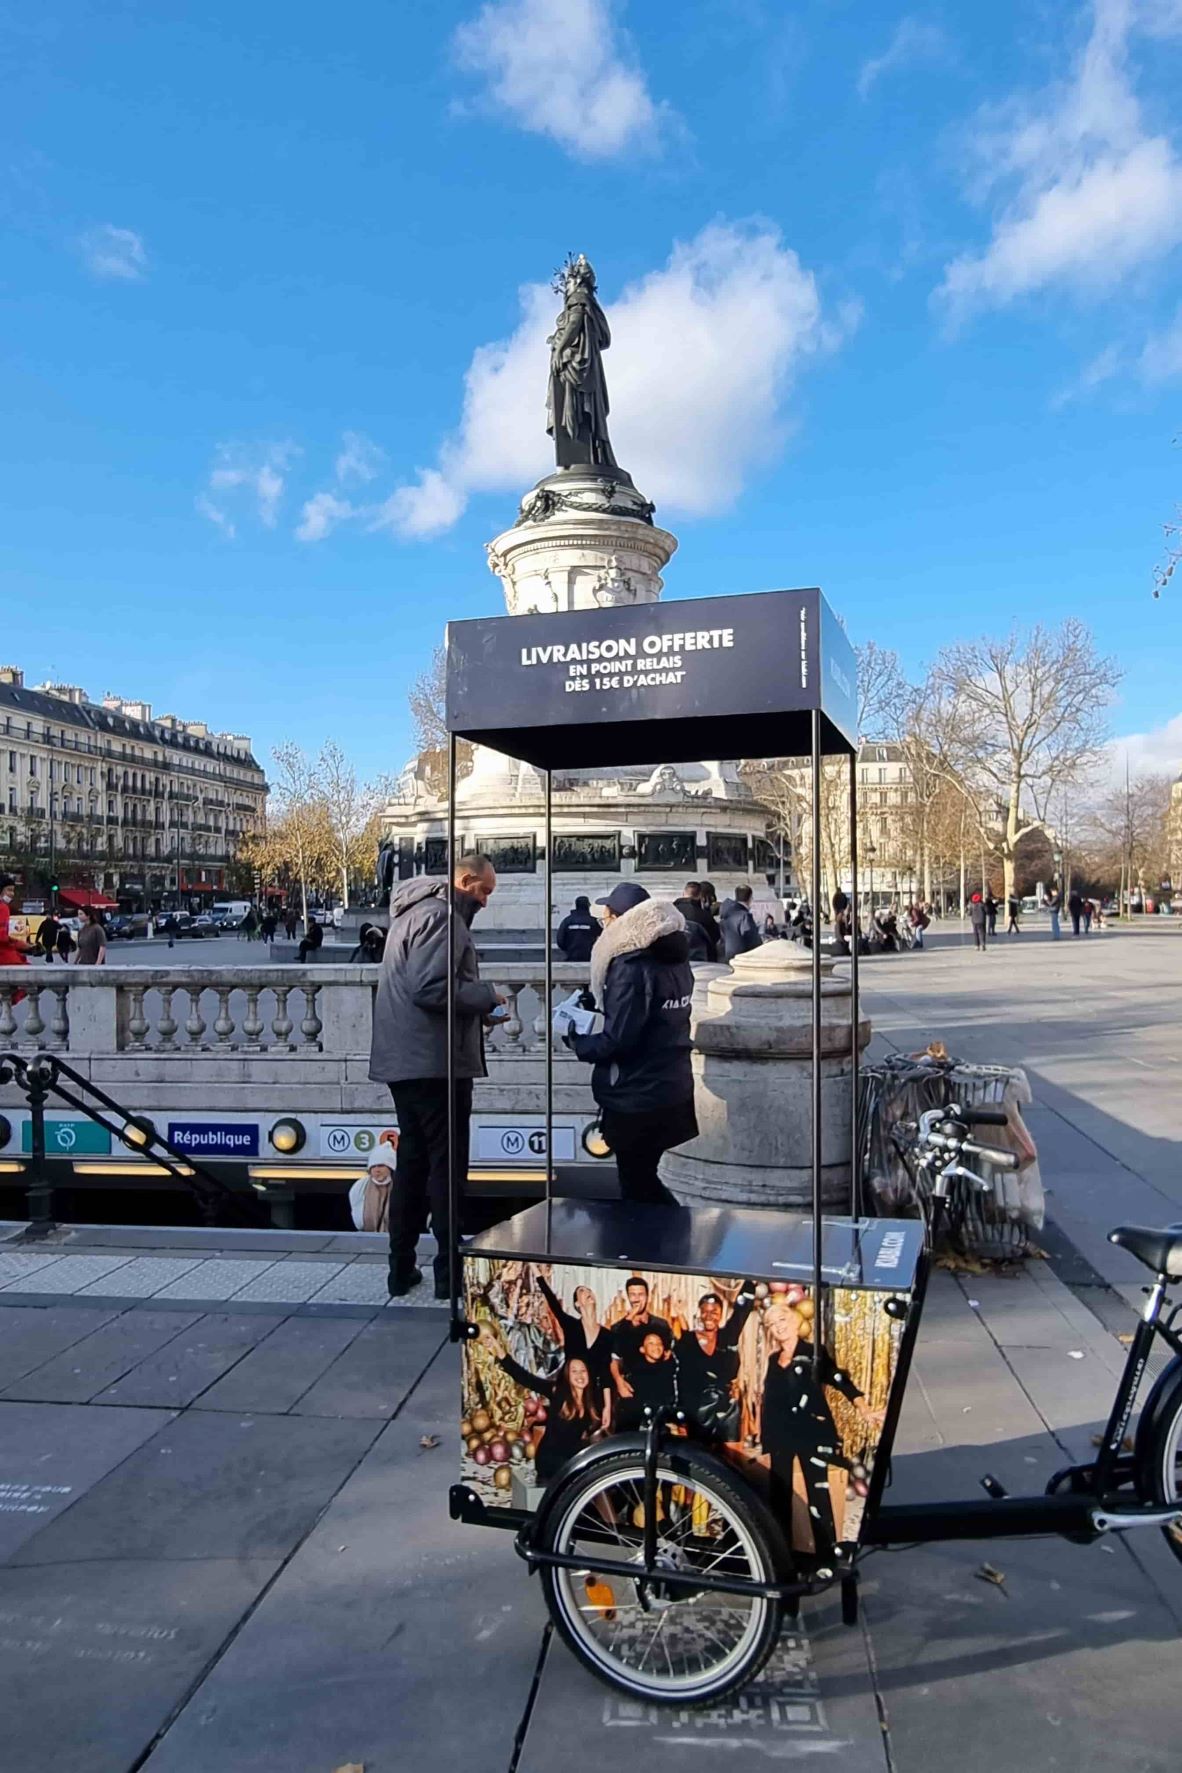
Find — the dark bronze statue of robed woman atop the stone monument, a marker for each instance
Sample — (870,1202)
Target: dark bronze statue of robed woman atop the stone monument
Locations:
(577,409)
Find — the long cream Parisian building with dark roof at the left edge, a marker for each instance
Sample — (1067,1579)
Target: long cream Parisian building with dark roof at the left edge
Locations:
(113,802)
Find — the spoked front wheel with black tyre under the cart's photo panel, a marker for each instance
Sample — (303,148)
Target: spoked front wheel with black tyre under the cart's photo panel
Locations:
(736,1519)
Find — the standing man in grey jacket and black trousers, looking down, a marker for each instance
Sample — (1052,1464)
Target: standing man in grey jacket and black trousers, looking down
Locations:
(410,1052)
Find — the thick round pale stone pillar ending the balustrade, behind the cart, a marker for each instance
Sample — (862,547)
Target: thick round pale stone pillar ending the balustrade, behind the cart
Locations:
(752,1070)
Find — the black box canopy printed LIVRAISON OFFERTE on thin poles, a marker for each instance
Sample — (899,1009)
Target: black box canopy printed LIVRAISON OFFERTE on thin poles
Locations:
(657,682)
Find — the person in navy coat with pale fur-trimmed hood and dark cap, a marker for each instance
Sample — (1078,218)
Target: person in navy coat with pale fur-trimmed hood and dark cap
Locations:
(641,1079)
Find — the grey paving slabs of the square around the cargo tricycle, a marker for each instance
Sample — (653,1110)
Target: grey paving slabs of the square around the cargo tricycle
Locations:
(226,1545)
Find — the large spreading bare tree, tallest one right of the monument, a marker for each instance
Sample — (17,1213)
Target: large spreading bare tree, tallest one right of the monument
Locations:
(1032,719)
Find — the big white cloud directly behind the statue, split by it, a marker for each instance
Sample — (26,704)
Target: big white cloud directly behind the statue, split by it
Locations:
(703,361)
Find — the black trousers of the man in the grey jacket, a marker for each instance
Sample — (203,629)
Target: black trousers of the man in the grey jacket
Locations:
(421,1171)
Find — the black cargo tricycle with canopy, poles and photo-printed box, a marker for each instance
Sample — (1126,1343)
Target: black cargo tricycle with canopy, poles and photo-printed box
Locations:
(687,1416)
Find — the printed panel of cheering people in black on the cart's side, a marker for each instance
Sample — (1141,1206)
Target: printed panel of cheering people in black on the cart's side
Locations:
(570,1355)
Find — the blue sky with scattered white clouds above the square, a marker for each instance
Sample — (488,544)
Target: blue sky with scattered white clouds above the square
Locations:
(896,306)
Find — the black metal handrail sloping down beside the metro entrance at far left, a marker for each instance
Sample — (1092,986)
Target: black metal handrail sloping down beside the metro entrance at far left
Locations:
(42,1077)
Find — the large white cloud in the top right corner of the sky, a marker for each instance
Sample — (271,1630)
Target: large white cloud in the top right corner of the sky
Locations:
(1093,194)
